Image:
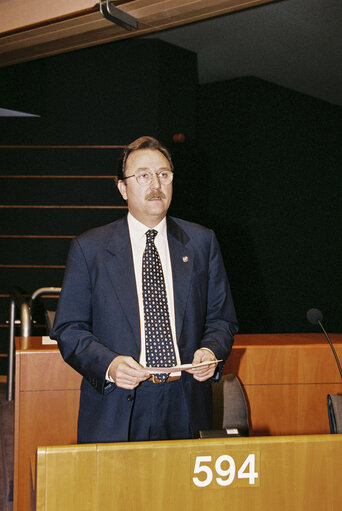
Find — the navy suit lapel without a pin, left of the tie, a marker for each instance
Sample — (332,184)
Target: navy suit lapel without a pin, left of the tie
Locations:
(119,263)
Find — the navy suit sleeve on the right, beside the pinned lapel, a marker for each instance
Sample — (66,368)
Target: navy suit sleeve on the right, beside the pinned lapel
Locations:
(221,324)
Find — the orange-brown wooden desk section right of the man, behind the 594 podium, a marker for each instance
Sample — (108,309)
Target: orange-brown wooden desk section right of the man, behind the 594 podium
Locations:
(287,378)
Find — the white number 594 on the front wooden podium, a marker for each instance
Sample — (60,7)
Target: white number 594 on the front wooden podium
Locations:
(223,471)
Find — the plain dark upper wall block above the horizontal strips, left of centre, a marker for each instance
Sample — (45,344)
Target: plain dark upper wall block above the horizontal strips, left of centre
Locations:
(114,92)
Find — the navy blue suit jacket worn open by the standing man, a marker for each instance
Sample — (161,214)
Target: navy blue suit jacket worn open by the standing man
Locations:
(98,318)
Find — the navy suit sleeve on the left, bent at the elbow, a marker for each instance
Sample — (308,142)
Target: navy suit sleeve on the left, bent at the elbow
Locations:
(72,328)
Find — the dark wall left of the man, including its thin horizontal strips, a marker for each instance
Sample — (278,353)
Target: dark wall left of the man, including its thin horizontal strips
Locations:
(107,95)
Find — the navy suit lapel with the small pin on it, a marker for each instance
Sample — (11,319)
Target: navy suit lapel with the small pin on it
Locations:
(182,259)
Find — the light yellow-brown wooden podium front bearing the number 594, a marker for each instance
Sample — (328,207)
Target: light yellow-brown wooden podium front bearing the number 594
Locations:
(268,474)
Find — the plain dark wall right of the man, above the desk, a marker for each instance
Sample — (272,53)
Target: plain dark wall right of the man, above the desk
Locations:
(274,160)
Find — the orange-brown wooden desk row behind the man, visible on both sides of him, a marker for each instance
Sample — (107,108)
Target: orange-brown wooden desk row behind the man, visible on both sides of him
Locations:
(286,378)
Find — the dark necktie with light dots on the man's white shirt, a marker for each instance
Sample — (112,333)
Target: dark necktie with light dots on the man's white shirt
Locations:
(158,337)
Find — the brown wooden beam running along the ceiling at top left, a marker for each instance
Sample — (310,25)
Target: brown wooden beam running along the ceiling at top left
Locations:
(88,28)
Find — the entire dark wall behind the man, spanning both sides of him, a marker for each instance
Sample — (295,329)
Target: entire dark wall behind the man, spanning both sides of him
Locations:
(260,165)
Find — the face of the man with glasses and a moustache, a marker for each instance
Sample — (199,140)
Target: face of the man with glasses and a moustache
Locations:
(148,204)
